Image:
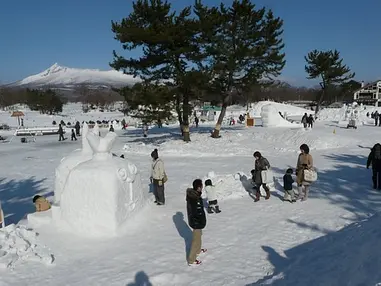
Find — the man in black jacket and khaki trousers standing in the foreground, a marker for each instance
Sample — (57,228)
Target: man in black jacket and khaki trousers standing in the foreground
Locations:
(196,220)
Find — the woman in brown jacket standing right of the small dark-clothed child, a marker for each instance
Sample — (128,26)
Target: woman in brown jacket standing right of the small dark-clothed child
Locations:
(305,162)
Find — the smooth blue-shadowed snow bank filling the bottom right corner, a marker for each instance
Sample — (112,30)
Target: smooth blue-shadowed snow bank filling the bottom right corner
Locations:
(346,257)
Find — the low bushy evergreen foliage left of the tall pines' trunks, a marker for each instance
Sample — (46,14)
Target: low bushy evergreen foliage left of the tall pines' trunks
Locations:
(148,102)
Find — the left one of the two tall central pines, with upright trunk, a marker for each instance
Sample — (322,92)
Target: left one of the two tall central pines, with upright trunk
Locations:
(169,47)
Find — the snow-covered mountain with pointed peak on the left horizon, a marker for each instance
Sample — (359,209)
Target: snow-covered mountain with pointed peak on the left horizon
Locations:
(63,77)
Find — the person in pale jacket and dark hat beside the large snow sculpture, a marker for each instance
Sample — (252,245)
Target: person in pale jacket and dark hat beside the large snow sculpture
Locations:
(158,178)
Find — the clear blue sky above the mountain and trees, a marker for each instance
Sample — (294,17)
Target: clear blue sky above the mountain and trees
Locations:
(36,34)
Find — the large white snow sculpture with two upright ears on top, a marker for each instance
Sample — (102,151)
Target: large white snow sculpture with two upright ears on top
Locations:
(102,193)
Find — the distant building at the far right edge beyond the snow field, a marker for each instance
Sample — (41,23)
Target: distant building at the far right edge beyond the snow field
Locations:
(369,94)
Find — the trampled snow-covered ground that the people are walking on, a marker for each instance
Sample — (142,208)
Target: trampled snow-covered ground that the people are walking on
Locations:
(323,241)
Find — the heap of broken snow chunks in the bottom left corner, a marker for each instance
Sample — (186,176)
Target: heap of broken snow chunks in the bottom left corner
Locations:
(18,244)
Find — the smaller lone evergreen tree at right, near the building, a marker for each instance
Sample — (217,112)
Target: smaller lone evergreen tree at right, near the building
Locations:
(329,68)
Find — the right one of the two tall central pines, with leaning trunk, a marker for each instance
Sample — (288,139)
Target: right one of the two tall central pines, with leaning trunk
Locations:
(242,45)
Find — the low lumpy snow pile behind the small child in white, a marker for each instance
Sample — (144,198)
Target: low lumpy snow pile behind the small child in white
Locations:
(227,186)
